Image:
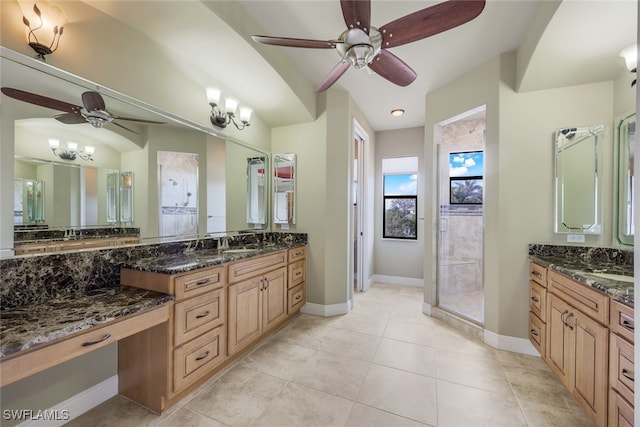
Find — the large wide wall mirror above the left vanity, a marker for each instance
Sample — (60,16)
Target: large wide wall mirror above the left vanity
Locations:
(119,184)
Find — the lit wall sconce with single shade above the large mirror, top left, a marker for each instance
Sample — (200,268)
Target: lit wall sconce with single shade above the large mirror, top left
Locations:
(52,20)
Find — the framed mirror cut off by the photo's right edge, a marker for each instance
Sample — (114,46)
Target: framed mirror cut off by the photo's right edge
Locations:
(625,134)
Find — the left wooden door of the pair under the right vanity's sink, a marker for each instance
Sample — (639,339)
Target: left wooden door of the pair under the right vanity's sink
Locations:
(559,346)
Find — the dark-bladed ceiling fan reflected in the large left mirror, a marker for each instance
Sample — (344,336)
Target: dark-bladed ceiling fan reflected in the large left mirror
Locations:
(93,109)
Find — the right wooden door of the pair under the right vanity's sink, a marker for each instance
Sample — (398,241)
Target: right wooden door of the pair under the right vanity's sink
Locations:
(590,361)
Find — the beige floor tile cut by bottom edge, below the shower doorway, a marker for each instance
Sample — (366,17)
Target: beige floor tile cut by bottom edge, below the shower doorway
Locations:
(460,405)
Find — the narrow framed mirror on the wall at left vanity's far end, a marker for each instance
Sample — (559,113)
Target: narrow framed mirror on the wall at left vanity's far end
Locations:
(284,189)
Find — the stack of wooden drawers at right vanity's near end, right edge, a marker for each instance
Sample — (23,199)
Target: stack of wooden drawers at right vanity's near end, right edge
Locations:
(621,365)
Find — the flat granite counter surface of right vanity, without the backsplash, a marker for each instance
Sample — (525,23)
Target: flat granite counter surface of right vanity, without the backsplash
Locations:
(584,272)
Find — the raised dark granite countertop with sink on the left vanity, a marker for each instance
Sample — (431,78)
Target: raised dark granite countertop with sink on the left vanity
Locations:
(185,262)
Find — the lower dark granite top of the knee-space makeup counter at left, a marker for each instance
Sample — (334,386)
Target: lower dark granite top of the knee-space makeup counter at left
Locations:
(27,326)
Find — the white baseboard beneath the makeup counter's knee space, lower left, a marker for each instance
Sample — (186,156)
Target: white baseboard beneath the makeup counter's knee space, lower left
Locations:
(78,404)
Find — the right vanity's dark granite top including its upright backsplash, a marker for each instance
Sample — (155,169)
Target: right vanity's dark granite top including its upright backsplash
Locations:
(586,268)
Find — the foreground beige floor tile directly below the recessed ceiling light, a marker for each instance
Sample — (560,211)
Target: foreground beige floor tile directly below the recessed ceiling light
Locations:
(402,393)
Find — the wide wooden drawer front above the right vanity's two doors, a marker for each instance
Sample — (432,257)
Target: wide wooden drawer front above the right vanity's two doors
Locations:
(591,302)
